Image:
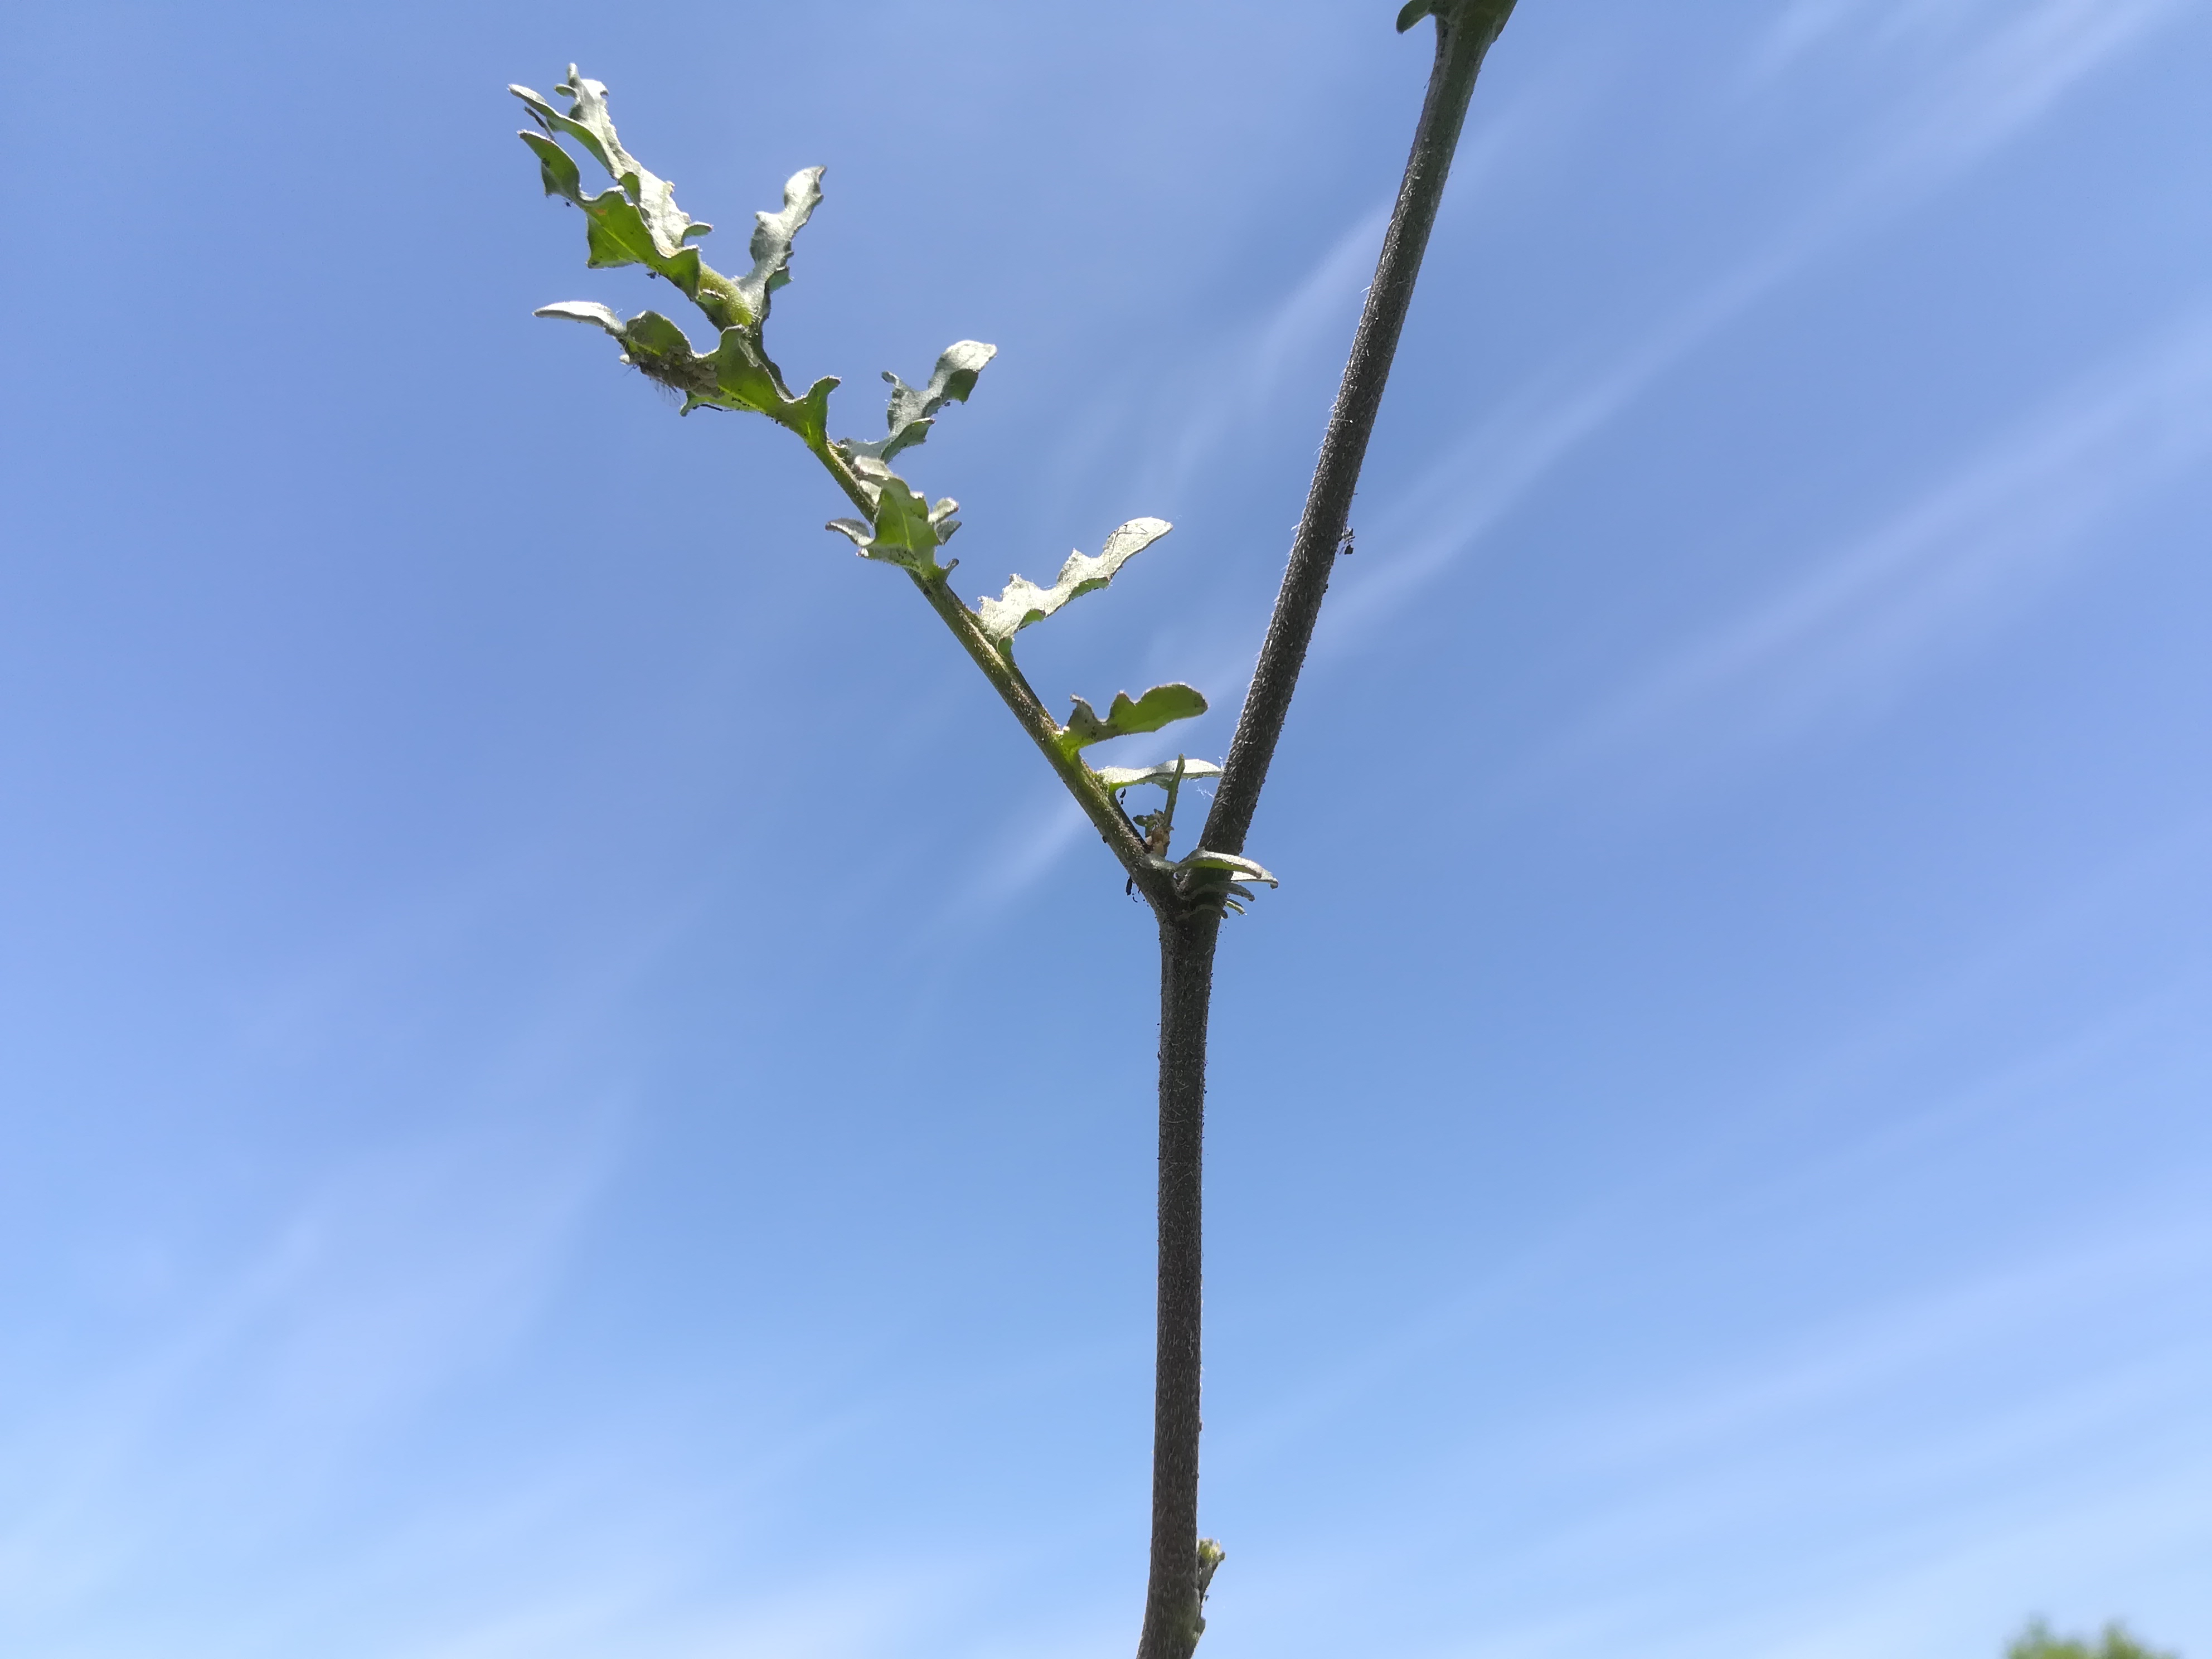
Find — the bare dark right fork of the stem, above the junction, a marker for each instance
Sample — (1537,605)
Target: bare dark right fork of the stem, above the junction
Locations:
(1463,36)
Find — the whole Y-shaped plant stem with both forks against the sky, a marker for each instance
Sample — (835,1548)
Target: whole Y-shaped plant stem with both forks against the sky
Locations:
(1187,901)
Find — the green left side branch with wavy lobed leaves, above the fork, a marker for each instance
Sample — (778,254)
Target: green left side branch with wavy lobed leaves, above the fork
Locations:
(638,222)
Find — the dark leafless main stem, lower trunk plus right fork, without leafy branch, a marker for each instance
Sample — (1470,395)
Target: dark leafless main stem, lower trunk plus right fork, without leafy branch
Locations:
(1191,930)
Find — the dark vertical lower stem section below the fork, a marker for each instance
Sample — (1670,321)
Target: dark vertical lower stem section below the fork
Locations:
(1187,983)
